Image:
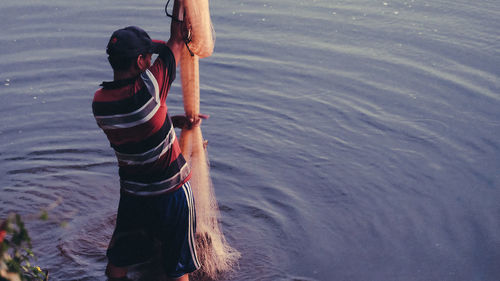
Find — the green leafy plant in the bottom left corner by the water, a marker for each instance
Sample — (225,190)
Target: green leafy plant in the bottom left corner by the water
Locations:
(15,252)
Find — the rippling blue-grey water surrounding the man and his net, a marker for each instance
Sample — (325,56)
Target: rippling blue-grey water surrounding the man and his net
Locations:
(349,140)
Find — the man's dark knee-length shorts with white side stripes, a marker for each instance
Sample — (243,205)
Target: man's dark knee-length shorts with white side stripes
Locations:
(168,218)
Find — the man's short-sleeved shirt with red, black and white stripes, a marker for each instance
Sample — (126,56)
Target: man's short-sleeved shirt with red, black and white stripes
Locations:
(134,116)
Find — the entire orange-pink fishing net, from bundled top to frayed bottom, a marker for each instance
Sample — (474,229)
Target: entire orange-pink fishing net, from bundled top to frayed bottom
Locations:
(216,256)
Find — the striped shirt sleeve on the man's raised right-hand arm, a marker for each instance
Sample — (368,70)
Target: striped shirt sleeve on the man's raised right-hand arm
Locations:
(164,68)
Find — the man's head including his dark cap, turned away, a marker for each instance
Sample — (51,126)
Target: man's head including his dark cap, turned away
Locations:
(129,46)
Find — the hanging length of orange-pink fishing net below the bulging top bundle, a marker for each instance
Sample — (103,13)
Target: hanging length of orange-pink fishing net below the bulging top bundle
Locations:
(215,254)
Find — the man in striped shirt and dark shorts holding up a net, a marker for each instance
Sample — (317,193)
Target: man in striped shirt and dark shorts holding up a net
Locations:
(156,202)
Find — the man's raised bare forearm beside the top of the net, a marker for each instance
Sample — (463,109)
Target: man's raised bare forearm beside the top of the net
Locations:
(176,41)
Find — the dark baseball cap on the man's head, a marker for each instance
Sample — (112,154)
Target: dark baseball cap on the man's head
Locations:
(130,41)
